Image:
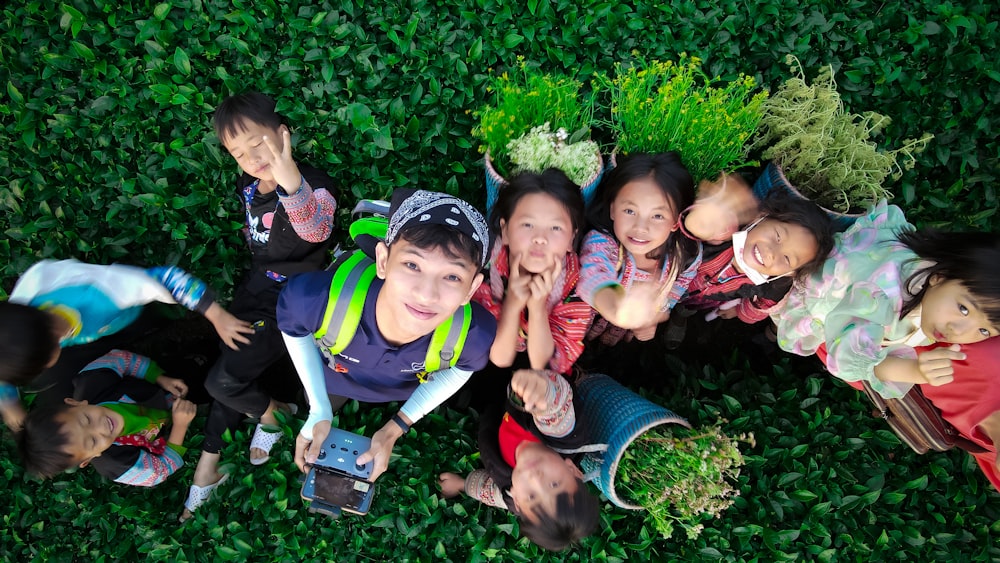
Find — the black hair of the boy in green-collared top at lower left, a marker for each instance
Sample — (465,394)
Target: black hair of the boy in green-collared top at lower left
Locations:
(42,442)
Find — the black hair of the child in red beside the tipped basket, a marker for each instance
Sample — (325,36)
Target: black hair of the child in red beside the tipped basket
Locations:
(576,517)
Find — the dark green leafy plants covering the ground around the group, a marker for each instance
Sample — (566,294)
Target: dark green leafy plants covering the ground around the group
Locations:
(107,154)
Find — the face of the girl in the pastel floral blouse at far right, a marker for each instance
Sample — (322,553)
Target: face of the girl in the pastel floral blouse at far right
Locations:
(950,313)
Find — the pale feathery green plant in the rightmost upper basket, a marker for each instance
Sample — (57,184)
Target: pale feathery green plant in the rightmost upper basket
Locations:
(826,152)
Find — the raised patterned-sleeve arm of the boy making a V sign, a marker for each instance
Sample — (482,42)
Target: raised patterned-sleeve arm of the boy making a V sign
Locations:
(310,211)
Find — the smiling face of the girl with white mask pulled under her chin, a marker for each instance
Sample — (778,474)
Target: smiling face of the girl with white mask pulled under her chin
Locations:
(775,248)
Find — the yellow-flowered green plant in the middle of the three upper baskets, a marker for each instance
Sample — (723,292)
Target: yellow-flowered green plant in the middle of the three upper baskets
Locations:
(666,106)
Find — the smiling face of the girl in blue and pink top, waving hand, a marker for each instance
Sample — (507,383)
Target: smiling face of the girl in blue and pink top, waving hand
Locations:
(643,217)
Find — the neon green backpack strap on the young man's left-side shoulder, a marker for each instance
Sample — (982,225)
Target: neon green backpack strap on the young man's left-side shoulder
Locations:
(346,303)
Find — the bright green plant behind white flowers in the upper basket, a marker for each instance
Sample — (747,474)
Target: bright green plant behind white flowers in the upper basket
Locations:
(525,99)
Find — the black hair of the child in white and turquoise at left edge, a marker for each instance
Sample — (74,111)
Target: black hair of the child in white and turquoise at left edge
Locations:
(29,341)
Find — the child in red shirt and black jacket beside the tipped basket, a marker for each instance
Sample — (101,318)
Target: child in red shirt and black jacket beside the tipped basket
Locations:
(523,472)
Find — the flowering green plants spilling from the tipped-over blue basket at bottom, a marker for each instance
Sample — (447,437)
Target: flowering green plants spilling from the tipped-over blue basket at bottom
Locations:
(681,476)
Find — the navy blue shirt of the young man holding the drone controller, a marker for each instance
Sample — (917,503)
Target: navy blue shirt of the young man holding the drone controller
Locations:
(371,369)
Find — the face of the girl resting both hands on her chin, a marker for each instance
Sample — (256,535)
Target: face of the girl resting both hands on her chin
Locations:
(539,230)
